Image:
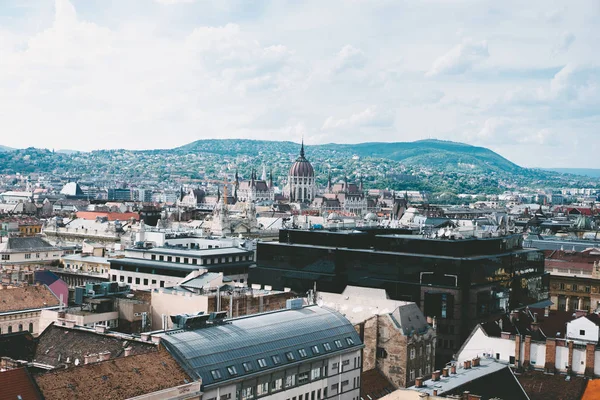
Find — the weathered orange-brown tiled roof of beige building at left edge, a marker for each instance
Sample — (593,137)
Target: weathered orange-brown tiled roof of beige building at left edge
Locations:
(27,298)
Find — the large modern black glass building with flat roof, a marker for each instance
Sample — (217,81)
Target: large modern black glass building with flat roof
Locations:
(459,282)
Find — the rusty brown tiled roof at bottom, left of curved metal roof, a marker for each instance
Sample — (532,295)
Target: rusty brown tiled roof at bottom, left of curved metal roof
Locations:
(114,379)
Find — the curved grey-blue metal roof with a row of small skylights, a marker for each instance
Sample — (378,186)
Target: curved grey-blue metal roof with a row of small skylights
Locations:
(248,339)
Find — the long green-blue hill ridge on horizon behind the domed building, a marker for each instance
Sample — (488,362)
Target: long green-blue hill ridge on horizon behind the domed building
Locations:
(426,153)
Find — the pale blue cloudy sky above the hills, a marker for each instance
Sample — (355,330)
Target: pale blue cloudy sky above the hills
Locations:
(519,77)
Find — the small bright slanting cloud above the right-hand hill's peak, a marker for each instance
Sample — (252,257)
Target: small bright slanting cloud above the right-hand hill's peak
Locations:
(460,58)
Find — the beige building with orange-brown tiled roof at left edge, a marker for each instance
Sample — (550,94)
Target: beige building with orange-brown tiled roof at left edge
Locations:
(21,308)
